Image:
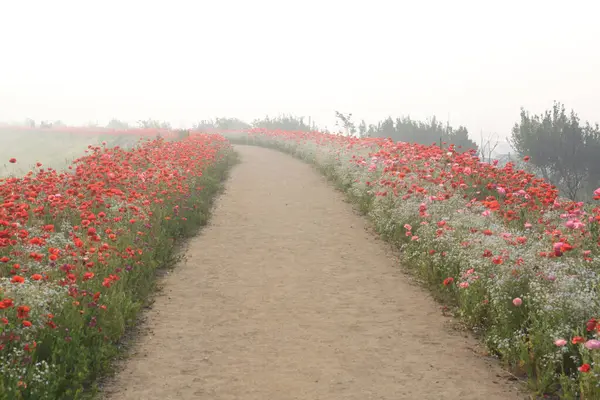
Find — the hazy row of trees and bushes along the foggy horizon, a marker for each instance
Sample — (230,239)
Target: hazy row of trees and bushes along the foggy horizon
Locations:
(561,148)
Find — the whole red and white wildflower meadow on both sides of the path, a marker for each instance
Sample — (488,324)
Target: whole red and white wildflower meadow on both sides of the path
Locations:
(79,250)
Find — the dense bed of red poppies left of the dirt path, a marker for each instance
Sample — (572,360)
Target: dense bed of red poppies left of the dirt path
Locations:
(79,251)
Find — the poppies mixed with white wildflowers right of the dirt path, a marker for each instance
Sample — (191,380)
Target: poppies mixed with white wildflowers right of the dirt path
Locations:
(497,245)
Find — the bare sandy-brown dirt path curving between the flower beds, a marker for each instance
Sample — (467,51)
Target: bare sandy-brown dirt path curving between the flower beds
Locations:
(287,296)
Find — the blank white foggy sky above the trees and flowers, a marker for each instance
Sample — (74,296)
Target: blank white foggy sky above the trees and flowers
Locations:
(183,61)
